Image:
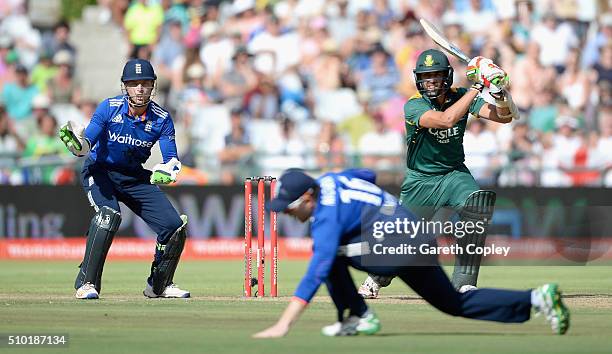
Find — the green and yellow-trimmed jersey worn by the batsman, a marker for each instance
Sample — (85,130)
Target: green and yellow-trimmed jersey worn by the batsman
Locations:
(432,150)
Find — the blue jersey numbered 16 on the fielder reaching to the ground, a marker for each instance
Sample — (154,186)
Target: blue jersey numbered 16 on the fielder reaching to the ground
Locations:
(344,199)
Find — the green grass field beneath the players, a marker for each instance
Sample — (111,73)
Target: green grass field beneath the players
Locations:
(38,297)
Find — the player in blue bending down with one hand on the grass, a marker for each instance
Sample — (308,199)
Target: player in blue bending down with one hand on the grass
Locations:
(342,208)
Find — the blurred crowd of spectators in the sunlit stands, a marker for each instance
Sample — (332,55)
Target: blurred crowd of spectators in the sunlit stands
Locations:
(256,86)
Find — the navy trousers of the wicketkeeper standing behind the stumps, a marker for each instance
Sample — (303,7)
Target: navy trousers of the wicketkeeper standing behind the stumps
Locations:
(107,188)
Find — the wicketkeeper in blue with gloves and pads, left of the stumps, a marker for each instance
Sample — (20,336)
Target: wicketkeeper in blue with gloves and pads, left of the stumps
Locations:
(118,141)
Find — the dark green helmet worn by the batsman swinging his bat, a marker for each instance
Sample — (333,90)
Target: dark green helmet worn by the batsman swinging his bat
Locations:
(429,61)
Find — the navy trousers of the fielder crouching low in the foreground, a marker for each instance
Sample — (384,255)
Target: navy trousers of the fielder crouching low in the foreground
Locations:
(431,283)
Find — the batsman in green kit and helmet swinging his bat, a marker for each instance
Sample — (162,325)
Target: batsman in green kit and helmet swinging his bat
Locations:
(436,176)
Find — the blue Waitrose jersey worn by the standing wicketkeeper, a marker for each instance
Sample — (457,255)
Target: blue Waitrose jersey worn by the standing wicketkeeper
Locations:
(123,143)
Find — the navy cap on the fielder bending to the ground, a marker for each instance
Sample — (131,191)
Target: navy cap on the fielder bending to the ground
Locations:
(290,186)
